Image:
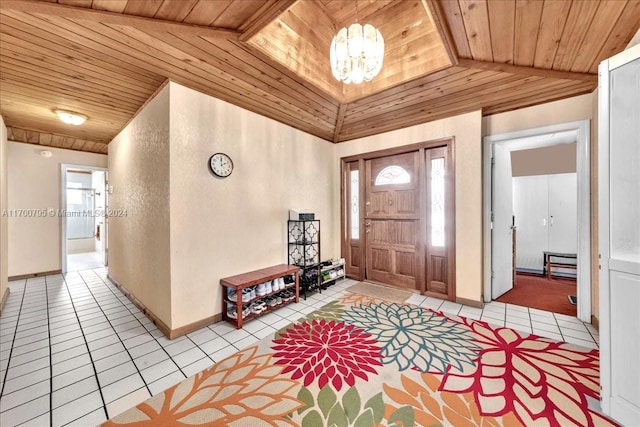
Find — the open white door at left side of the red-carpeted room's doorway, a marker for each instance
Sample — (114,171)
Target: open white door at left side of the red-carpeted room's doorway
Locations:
(502,215)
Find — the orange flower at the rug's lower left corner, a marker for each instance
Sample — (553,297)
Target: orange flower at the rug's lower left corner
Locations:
(243,389)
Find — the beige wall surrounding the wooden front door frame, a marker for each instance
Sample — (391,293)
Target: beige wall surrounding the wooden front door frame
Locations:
(466,129)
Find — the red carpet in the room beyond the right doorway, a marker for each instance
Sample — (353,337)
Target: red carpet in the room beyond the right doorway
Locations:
(538,292)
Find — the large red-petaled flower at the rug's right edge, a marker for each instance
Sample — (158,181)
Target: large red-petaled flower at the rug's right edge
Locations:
(537,380)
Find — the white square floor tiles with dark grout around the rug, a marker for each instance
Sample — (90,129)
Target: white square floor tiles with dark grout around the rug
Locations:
(75,351)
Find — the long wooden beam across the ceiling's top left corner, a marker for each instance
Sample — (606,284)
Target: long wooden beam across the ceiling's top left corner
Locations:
(104,17)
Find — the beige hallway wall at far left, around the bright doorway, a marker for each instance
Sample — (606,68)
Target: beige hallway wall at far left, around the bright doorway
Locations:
(34,183)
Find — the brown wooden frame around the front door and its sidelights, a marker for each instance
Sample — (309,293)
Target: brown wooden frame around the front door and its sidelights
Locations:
(345,235)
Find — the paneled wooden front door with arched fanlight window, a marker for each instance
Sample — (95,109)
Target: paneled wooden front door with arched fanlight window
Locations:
(392,220)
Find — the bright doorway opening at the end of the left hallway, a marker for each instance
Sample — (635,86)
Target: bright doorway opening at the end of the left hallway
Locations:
(84,222)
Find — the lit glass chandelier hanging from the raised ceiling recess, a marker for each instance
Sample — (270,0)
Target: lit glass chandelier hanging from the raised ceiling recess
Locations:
(356,53)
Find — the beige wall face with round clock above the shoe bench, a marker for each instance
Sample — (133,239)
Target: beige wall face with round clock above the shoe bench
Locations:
(223,227)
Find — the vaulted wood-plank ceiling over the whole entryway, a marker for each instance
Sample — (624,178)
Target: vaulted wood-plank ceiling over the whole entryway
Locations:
(105,58)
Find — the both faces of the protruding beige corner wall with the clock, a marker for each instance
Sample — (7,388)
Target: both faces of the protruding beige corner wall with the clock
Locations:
(185,228)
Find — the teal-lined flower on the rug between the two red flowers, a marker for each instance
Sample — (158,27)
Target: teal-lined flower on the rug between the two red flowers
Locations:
(413,337)
